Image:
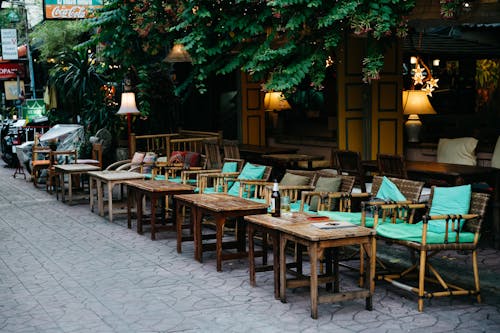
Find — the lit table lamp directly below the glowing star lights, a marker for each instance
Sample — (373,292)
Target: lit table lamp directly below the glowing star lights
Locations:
(415,102)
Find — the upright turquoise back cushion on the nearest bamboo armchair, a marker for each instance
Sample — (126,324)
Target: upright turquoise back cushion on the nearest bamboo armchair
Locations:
(449,200)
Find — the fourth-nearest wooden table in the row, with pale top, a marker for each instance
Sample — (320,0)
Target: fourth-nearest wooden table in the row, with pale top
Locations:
(109,178)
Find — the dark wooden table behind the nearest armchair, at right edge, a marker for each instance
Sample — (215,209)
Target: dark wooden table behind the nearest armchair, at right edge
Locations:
(447,174)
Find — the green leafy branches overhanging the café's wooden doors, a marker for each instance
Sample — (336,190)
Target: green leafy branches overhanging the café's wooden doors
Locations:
(283,42)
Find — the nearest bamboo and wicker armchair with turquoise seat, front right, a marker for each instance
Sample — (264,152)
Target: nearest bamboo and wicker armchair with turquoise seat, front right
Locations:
(426,246)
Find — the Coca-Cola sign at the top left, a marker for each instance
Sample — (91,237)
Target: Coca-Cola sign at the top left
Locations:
(70,9)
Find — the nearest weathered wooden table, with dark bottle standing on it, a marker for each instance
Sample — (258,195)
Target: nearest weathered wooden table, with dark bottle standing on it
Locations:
(297,228)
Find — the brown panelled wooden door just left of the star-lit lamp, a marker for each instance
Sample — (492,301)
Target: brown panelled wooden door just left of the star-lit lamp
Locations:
(369,115)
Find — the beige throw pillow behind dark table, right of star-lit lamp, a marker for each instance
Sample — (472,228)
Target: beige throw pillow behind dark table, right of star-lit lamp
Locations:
(457,151)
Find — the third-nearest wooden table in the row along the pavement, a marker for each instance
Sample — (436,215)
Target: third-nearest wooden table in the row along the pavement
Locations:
(154,189)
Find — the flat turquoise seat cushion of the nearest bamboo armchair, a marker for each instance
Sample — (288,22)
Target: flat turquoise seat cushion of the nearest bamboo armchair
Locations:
(413,232)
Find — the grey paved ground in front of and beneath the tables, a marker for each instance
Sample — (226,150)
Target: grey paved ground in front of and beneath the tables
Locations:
(65,269)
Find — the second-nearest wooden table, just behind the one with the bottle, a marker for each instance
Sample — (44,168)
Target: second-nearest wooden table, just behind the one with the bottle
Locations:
(221,207)
